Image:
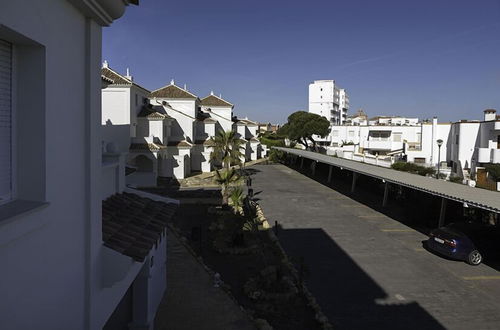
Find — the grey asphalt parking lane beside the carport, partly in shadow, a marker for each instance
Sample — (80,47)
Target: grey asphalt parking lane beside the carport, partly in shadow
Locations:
(368,270)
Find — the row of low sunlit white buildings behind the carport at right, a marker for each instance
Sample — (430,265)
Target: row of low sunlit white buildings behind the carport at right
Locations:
(467,146)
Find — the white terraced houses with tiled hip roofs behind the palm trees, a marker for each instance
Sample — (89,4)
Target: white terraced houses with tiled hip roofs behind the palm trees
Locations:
(166,133)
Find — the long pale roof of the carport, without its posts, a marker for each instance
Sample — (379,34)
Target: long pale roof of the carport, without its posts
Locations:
(481,198)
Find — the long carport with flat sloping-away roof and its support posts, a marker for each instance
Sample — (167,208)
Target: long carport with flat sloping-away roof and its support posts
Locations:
(474,197)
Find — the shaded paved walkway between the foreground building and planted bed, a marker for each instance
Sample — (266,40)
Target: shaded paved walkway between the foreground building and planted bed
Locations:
(191,301)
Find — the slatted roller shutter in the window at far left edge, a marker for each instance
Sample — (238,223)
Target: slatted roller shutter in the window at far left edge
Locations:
(5,121)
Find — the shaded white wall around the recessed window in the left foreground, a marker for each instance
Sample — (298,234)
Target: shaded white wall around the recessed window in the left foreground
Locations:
(43,252)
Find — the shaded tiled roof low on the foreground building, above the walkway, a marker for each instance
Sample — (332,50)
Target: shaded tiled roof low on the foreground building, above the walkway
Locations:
(132,225)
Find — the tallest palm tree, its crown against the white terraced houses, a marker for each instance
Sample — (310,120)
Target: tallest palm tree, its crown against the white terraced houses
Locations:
(227,148)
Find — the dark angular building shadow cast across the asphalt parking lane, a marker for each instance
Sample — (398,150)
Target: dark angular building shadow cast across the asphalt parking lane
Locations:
(347,295)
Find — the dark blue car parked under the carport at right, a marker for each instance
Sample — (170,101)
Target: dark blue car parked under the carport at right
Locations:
(468,241)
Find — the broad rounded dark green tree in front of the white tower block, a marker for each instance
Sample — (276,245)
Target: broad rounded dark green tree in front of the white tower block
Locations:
(302,125)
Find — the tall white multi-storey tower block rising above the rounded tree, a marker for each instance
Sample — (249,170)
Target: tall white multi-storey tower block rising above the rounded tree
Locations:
(327,99)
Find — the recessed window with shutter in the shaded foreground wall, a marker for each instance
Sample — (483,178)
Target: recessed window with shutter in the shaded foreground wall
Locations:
(22,124)
